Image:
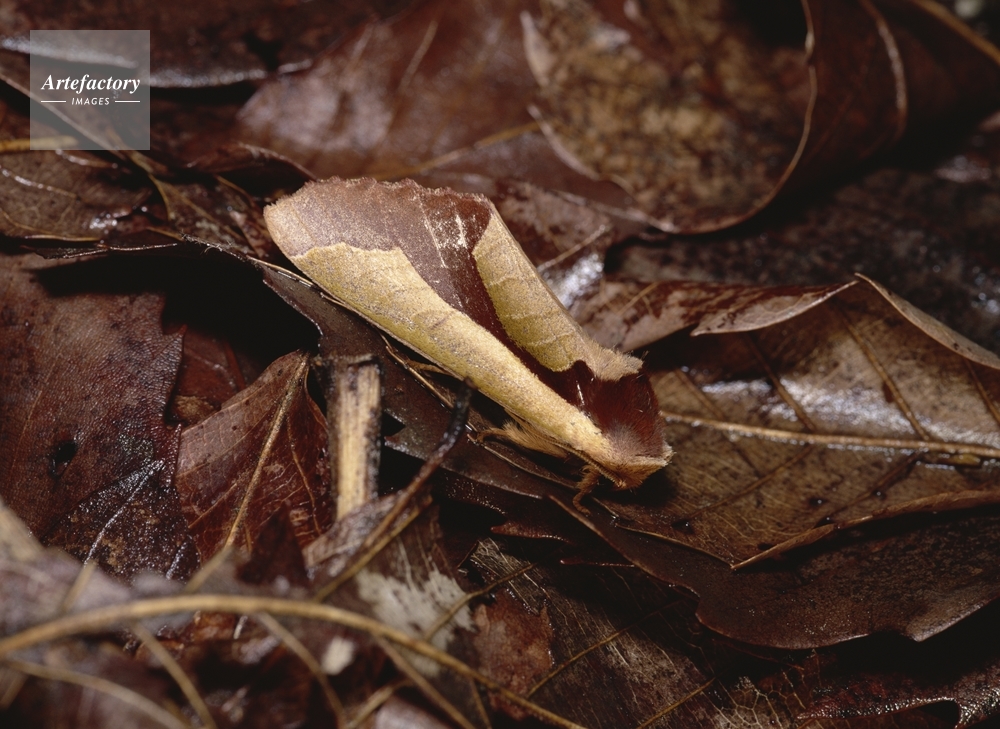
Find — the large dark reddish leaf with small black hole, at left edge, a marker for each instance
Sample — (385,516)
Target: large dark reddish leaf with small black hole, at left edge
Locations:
(87,457)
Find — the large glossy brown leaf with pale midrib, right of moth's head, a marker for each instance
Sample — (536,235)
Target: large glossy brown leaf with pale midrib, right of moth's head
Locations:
(795,416)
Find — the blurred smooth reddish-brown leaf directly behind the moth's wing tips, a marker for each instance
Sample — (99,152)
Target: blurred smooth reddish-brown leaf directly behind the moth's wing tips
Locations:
(402,98)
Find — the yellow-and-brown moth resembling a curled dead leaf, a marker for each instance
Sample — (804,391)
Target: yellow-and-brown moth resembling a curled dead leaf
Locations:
(439,271)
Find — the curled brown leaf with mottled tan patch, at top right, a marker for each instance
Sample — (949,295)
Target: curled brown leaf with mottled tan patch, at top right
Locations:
(715,119)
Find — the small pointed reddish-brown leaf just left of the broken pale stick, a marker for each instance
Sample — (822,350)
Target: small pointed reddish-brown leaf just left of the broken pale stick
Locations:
(262,453)
